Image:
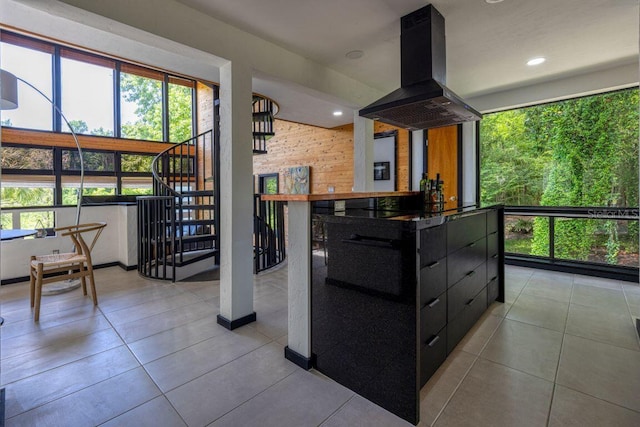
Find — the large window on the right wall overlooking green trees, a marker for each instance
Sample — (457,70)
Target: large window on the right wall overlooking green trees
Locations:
(575,164)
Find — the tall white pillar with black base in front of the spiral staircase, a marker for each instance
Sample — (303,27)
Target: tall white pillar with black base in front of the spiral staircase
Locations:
(236,204)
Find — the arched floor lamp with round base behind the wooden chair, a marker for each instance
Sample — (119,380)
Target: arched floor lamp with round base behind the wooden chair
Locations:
(9,101)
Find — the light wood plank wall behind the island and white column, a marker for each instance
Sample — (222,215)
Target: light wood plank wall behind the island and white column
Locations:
(329,152)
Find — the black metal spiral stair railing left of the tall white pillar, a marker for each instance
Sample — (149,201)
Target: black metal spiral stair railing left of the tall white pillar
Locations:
(178,224)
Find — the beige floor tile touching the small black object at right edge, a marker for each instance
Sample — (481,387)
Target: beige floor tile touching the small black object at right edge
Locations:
(608,326)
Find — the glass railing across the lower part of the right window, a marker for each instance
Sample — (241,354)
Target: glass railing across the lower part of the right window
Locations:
(599,236)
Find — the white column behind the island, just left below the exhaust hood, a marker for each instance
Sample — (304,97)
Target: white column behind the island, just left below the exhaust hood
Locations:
(362,153)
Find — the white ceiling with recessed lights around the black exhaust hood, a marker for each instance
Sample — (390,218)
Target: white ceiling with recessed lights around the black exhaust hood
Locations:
(487,44)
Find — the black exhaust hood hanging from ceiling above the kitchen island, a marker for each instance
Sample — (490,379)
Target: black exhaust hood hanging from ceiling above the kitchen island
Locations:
(423,101)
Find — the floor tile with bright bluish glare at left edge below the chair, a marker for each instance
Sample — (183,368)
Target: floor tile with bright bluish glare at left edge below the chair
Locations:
(59,353)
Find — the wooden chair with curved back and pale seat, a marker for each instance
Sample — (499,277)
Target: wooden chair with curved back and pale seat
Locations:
(58,267)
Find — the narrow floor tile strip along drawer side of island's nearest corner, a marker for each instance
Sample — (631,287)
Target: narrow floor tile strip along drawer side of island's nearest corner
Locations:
(438,390)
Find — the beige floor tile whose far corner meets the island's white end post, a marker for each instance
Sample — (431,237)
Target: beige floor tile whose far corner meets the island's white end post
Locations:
(231,385)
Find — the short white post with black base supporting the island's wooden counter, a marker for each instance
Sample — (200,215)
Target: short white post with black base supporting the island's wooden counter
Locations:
(299,292)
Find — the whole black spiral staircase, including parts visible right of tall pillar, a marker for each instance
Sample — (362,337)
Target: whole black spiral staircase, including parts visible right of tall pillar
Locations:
(177,226)
